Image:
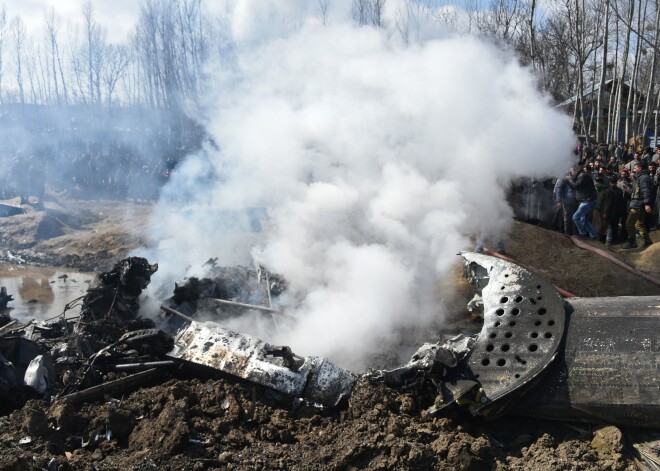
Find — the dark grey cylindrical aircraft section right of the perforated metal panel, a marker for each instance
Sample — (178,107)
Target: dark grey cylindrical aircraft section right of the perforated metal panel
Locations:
(607,369)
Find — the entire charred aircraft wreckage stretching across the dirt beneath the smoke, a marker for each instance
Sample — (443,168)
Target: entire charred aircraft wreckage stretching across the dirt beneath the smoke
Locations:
(538,354)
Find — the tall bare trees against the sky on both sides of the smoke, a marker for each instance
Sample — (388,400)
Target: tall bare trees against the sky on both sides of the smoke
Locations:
(600,55)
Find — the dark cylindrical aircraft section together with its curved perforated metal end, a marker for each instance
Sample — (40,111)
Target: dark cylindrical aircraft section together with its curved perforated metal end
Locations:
(596,358)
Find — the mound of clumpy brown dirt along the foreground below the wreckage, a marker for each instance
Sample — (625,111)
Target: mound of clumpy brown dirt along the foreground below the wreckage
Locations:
(223,424)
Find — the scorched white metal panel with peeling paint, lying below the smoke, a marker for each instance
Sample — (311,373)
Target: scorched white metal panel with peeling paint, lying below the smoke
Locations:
(314,379)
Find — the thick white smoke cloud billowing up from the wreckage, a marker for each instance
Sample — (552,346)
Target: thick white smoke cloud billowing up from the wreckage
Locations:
(367,165)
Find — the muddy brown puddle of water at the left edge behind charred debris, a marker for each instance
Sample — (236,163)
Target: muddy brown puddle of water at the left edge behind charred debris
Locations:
(42,292)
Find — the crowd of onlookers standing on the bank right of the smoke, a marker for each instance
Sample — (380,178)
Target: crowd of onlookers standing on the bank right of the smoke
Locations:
(610,195)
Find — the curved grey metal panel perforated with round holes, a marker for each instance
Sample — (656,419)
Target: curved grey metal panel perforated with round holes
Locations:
(524,319)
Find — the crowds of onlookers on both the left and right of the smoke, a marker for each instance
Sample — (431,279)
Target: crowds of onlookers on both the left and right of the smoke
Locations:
(610,194)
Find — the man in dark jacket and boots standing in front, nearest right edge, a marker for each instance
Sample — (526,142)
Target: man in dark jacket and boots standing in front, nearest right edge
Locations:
(641,204)
